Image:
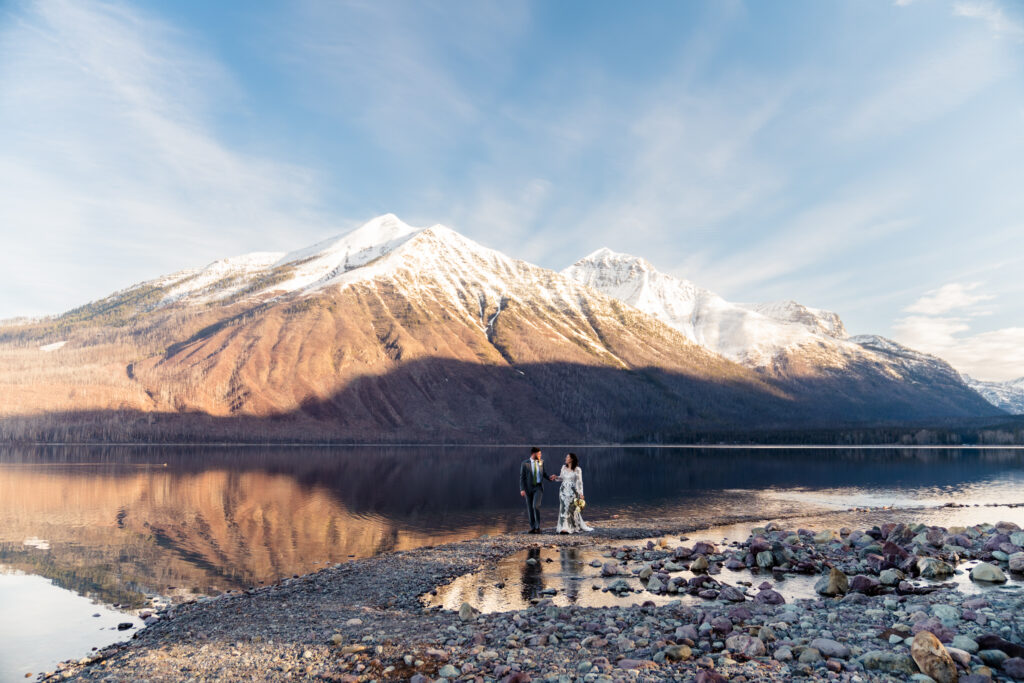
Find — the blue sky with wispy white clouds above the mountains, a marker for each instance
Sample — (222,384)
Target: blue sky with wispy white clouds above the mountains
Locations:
(864,157)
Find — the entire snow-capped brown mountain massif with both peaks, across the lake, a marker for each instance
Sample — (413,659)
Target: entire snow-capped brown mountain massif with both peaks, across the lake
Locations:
(398,332)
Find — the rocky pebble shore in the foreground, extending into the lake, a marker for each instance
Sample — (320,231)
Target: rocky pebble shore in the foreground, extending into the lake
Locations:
(888,608)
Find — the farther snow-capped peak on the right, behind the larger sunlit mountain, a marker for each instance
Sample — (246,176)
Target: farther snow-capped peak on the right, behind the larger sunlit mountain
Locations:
(786,340)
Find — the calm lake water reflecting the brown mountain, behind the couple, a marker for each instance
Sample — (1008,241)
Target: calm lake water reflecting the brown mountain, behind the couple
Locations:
(122,526)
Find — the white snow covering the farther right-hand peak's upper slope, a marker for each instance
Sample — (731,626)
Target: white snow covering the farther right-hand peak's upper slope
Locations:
(754,335)
